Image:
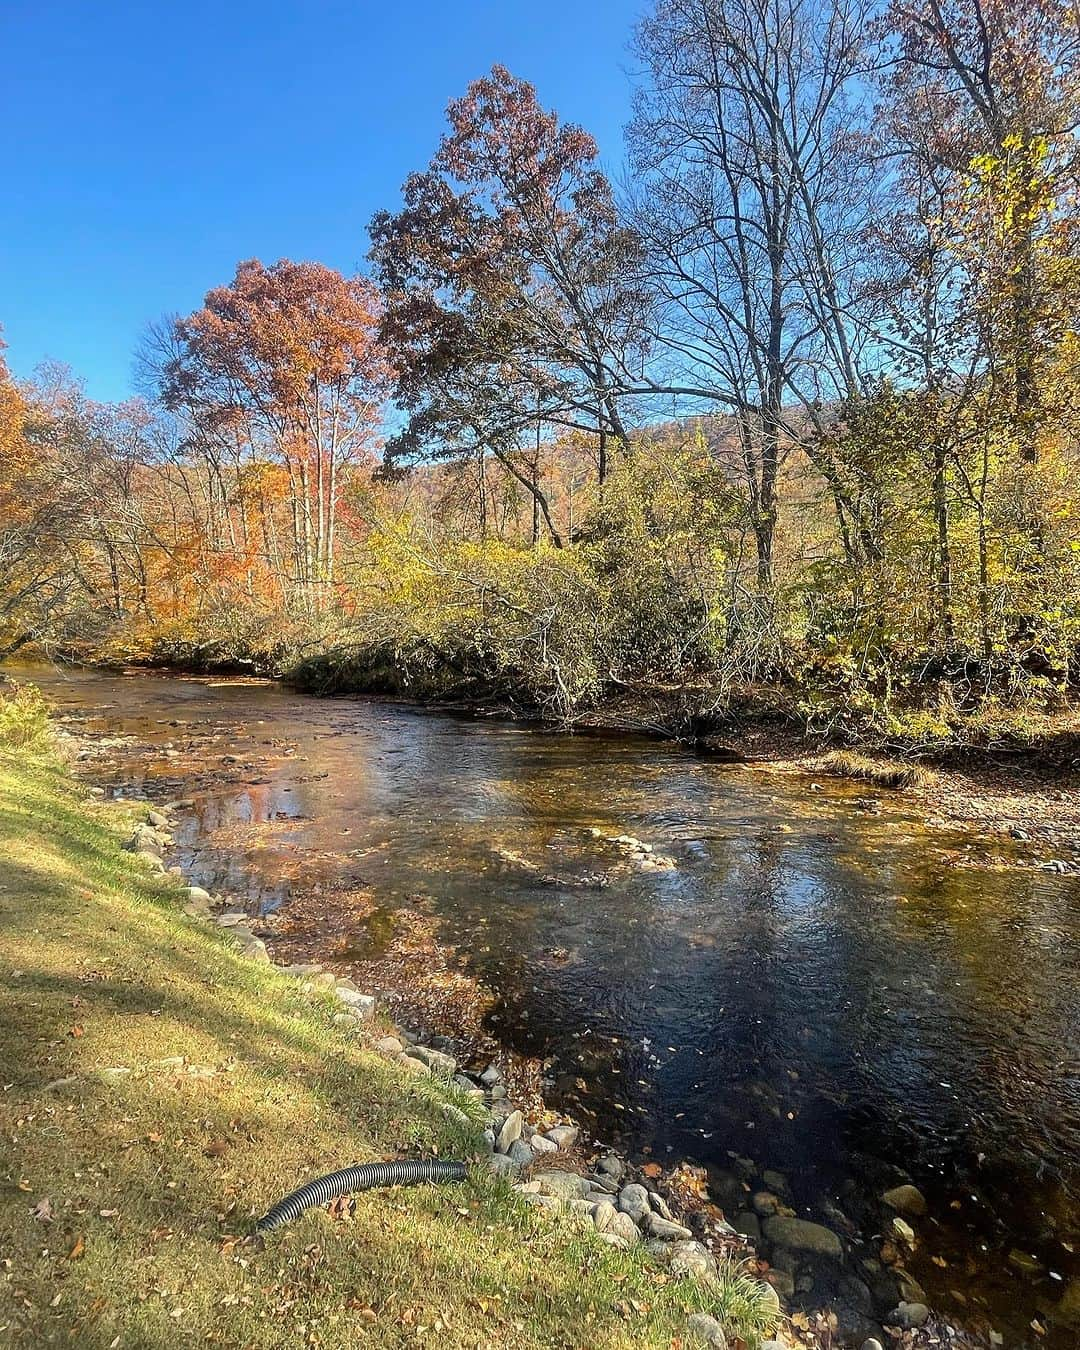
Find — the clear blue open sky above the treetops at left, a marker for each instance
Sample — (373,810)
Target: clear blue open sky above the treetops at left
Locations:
(149,148)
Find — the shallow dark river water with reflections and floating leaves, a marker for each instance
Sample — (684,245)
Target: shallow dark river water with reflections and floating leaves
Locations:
(794,977)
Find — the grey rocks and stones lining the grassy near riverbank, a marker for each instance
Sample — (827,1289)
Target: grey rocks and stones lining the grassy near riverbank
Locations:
(828,1285)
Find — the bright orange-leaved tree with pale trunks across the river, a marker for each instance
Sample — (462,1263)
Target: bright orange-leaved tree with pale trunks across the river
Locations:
(286,364)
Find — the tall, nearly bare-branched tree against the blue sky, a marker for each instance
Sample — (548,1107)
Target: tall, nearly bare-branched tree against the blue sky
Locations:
(750,203)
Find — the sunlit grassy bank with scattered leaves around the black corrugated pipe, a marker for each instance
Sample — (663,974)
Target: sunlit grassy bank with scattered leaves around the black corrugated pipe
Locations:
(160,1091)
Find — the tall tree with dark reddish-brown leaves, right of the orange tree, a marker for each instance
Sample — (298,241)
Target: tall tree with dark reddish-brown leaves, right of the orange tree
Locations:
(514,308)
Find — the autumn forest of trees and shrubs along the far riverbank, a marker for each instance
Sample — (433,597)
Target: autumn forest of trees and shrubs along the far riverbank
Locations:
(781,416)
